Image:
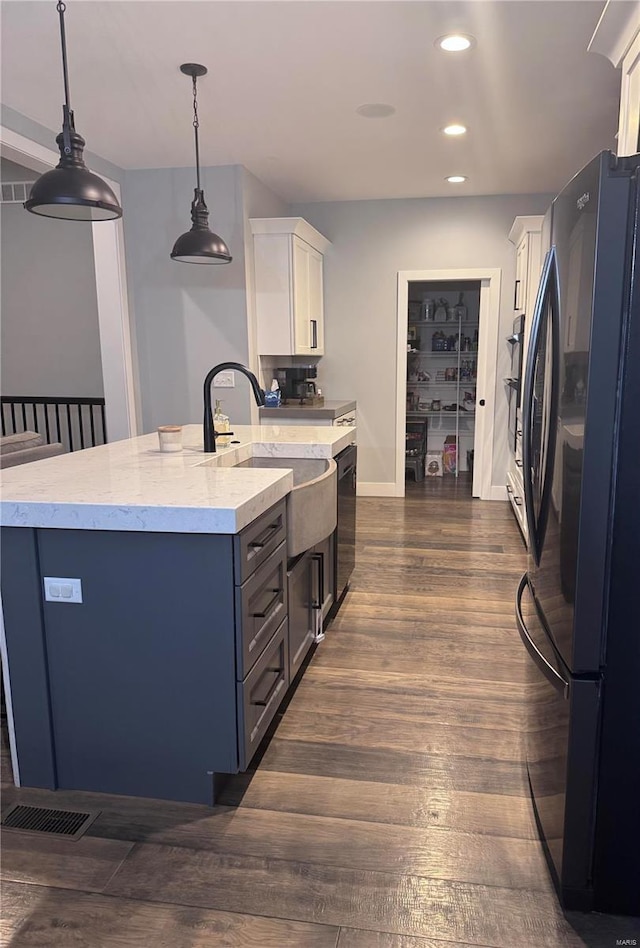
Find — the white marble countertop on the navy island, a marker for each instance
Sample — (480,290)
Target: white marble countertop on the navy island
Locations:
(132,485)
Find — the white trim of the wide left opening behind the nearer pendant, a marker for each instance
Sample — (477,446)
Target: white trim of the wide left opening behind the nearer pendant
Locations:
(111,293)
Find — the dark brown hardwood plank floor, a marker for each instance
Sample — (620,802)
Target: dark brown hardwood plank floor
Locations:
(388,809)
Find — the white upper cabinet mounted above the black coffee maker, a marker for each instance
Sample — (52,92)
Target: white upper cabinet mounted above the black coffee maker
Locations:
(288,257)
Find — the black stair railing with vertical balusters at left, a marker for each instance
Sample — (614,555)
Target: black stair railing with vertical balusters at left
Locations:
(75,422)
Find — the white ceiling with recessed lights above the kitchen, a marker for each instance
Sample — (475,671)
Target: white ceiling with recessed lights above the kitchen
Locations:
(285,79)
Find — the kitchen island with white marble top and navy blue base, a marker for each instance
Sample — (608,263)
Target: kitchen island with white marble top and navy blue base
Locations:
(146,643)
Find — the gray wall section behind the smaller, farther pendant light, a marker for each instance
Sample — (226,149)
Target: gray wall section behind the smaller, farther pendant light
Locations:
(187,318)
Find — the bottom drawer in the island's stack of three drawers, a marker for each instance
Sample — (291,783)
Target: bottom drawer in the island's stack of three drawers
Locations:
(259,696)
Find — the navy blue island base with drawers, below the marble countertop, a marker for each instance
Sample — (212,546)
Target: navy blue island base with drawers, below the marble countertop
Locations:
(169,671)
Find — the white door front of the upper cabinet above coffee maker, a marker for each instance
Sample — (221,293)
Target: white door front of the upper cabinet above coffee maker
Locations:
(308,328)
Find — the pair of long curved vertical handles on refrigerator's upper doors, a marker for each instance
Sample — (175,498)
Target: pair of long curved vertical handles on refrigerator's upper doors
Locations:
(548,291)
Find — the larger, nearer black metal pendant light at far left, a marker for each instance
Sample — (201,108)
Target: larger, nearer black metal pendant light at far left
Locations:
(70,191)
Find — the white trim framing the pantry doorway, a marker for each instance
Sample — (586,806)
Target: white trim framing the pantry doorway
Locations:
(490,280)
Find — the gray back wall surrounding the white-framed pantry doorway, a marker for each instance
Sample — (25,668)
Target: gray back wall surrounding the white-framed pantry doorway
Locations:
(371,242)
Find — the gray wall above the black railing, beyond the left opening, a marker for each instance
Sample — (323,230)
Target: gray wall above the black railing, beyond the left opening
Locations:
(49,329)
